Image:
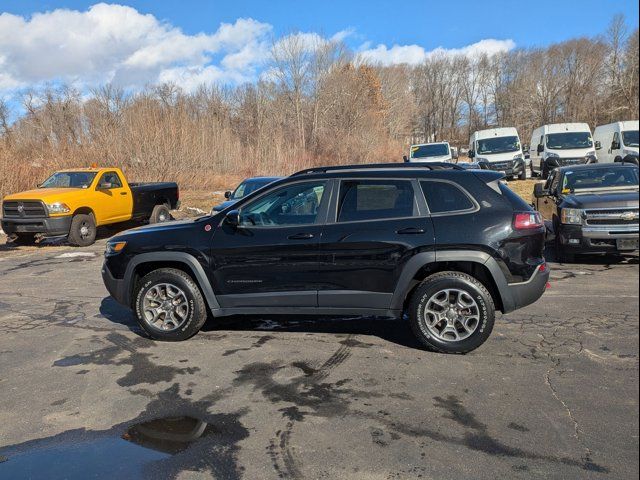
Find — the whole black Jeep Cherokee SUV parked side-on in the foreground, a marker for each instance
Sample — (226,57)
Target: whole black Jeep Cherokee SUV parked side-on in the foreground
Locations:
(444,245)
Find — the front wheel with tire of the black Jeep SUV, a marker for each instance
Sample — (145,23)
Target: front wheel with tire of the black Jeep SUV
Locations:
(187,317)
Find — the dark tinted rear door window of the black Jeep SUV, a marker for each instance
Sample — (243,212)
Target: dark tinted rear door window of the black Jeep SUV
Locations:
(375,199)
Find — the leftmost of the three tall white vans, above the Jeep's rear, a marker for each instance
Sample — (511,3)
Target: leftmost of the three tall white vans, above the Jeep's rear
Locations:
(499,149)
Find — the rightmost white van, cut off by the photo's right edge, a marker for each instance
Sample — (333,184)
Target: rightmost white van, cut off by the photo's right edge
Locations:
(619,142)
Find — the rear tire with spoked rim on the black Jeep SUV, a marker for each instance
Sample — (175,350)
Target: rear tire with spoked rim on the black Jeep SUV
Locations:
(472,291)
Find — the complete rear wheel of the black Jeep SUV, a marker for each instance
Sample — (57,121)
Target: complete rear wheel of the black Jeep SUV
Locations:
(451,312)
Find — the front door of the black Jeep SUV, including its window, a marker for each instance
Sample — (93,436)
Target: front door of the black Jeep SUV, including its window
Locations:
(270,258)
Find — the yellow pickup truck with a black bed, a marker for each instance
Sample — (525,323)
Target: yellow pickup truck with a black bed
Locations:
(75,202)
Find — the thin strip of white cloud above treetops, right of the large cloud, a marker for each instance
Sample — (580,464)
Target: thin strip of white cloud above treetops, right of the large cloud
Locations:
(415,54)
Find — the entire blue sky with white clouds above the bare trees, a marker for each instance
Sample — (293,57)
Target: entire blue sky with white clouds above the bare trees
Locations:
(136,43)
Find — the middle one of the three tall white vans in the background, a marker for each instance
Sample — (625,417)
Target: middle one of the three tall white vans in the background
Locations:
(561,144)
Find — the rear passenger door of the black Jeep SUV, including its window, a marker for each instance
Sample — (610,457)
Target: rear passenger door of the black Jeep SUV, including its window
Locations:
(374,227)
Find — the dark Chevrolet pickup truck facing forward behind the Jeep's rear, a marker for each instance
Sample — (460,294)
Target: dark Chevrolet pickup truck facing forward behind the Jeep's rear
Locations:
(590,208)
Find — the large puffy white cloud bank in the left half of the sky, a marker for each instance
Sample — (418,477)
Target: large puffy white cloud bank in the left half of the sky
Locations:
(114,43)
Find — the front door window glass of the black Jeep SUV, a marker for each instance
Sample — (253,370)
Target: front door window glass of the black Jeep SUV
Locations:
(295,204)
